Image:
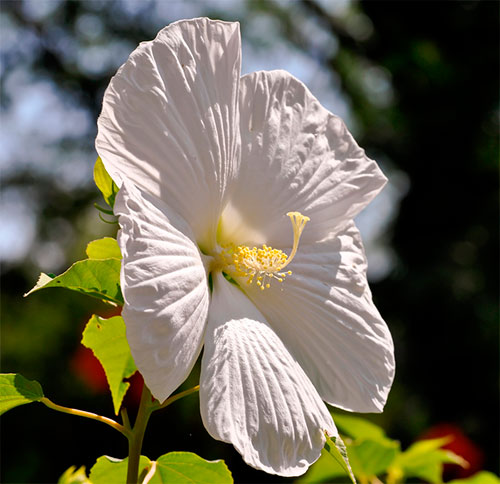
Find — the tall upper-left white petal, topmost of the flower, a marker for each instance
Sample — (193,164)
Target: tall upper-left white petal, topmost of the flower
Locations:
(169,121)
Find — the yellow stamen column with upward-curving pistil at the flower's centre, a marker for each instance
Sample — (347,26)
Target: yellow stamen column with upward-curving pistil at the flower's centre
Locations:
(265,263)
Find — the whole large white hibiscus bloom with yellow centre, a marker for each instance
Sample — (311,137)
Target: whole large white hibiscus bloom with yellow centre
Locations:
(210,164)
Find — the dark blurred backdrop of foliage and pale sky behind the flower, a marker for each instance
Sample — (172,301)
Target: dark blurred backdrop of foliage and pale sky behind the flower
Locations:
(416,83)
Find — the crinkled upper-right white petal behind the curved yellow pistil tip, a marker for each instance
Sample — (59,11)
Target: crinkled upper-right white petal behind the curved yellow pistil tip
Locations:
(296,156)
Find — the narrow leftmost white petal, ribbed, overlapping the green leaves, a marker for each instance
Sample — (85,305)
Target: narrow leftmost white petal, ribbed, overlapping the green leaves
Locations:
(165,288)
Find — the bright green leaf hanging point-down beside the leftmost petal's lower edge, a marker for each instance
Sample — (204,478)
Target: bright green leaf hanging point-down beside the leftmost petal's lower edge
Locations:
(107,339)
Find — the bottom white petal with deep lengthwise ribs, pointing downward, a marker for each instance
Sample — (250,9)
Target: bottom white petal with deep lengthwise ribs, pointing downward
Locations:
(253,394)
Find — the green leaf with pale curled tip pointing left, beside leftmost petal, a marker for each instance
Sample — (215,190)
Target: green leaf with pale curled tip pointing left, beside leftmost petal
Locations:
(99,278)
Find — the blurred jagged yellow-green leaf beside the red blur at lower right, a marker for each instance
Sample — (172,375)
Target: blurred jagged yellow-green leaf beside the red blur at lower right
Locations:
(424,459)
